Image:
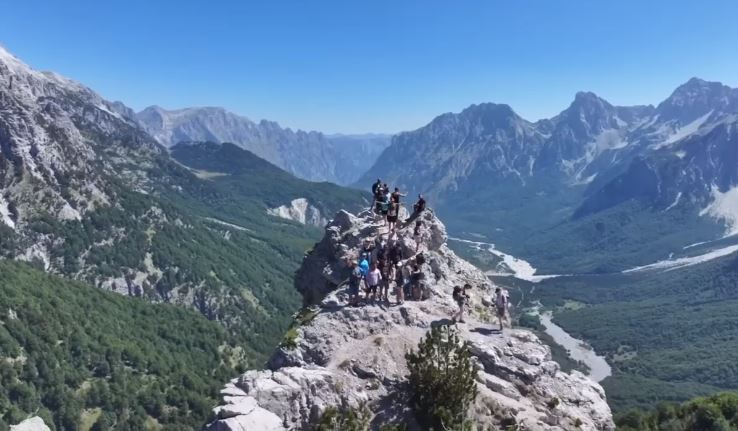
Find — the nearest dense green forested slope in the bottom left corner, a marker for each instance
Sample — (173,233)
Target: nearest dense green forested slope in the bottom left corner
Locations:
(83,358)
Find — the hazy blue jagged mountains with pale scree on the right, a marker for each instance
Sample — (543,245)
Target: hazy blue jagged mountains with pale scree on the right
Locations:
(621,185)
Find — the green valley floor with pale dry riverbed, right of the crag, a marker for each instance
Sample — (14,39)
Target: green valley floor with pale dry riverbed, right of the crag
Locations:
(666,330)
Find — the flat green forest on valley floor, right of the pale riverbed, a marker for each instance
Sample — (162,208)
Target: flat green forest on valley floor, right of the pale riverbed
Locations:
(670,336)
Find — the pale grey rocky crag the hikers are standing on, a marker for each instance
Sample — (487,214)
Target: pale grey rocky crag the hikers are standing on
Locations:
(353,357)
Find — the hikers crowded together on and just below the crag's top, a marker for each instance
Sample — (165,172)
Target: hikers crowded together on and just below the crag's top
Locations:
(381,263)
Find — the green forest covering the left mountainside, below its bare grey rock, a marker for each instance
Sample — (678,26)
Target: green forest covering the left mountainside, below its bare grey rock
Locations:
(209,279)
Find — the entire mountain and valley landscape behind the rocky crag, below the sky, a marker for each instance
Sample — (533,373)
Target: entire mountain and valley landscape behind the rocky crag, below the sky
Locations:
(200,217)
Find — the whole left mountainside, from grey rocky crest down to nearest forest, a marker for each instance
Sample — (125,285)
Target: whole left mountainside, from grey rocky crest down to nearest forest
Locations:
(86,193)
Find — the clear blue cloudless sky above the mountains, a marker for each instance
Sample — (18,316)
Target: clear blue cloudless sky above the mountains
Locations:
(375,65)
